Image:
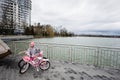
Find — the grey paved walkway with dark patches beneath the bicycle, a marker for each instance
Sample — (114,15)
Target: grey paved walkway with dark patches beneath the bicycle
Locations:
(58,71)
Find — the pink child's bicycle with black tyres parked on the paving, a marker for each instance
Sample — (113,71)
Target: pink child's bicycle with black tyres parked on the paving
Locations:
(37,61)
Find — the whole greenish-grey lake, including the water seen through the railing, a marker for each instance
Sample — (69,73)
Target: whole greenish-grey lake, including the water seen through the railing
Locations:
(99,56)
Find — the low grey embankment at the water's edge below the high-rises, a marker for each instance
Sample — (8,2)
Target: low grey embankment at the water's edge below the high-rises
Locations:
(15,37)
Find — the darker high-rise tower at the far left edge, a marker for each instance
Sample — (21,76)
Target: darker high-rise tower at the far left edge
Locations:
(6,14)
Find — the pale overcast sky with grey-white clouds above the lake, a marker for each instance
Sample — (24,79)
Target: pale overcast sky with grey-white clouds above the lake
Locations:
(78,15)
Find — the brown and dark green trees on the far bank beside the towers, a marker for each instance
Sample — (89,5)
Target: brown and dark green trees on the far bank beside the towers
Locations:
(47,31)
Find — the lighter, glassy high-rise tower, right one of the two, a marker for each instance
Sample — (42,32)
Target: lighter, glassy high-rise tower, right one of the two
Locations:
(23,16)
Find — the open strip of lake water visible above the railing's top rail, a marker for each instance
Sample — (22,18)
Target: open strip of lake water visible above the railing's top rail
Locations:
(87,41)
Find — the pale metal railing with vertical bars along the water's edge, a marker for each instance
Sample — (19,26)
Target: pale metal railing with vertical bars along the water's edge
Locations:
(93,55)
